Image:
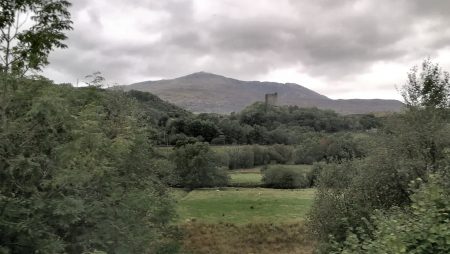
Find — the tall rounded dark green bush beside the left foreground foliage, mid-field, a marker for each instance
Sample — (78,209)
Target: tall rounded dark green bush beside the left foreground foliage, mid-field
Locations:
(196,166)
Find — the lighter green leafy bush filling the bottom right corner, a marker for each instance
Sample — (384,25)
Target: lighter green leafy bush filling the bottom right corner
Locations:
(423,228)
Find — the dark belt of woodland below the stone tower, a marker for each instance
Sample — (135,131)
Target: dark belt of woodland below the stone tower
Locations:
(261,124)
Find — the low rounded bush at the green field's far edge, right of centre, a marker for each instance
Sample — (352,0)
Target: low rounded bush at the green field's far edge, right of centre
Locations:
(284,178)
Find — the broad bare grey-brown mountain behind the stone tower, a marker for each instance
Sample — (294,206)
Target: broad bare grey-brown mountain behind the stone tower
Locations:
(211,93)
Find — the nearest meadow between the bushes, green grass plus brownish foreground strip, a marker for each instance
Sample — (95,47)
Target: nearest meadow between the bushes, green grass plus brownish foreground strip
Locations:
(244,220)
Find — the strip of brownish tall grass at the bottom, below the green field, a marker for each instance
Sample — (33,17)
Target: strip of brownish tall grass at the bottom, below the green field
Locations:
(264,238)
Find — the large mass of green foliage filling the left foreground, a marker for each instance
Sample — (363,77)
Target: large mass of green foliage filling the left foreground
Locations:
(77,172)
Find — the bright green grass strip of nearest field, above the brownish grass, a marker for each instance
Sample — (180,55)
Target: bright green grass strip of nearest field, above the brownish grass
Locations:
(244,205)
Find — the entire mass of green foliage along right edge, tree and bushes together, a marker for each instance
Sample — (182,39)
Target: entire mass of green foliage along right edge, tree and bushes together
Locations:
(410,146)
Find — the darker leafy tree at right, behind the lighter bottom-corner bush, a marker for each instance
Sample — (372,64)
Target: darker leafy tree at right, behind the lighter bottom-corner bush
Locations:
(410,146)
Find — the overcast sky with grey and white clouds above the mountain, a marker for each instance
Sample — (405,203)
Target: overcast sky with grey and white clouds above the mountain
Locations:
(342,49)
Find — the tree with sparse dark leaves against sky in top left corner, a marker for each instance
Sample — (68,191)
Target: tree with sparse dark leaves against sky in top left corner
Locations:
(30,30)
